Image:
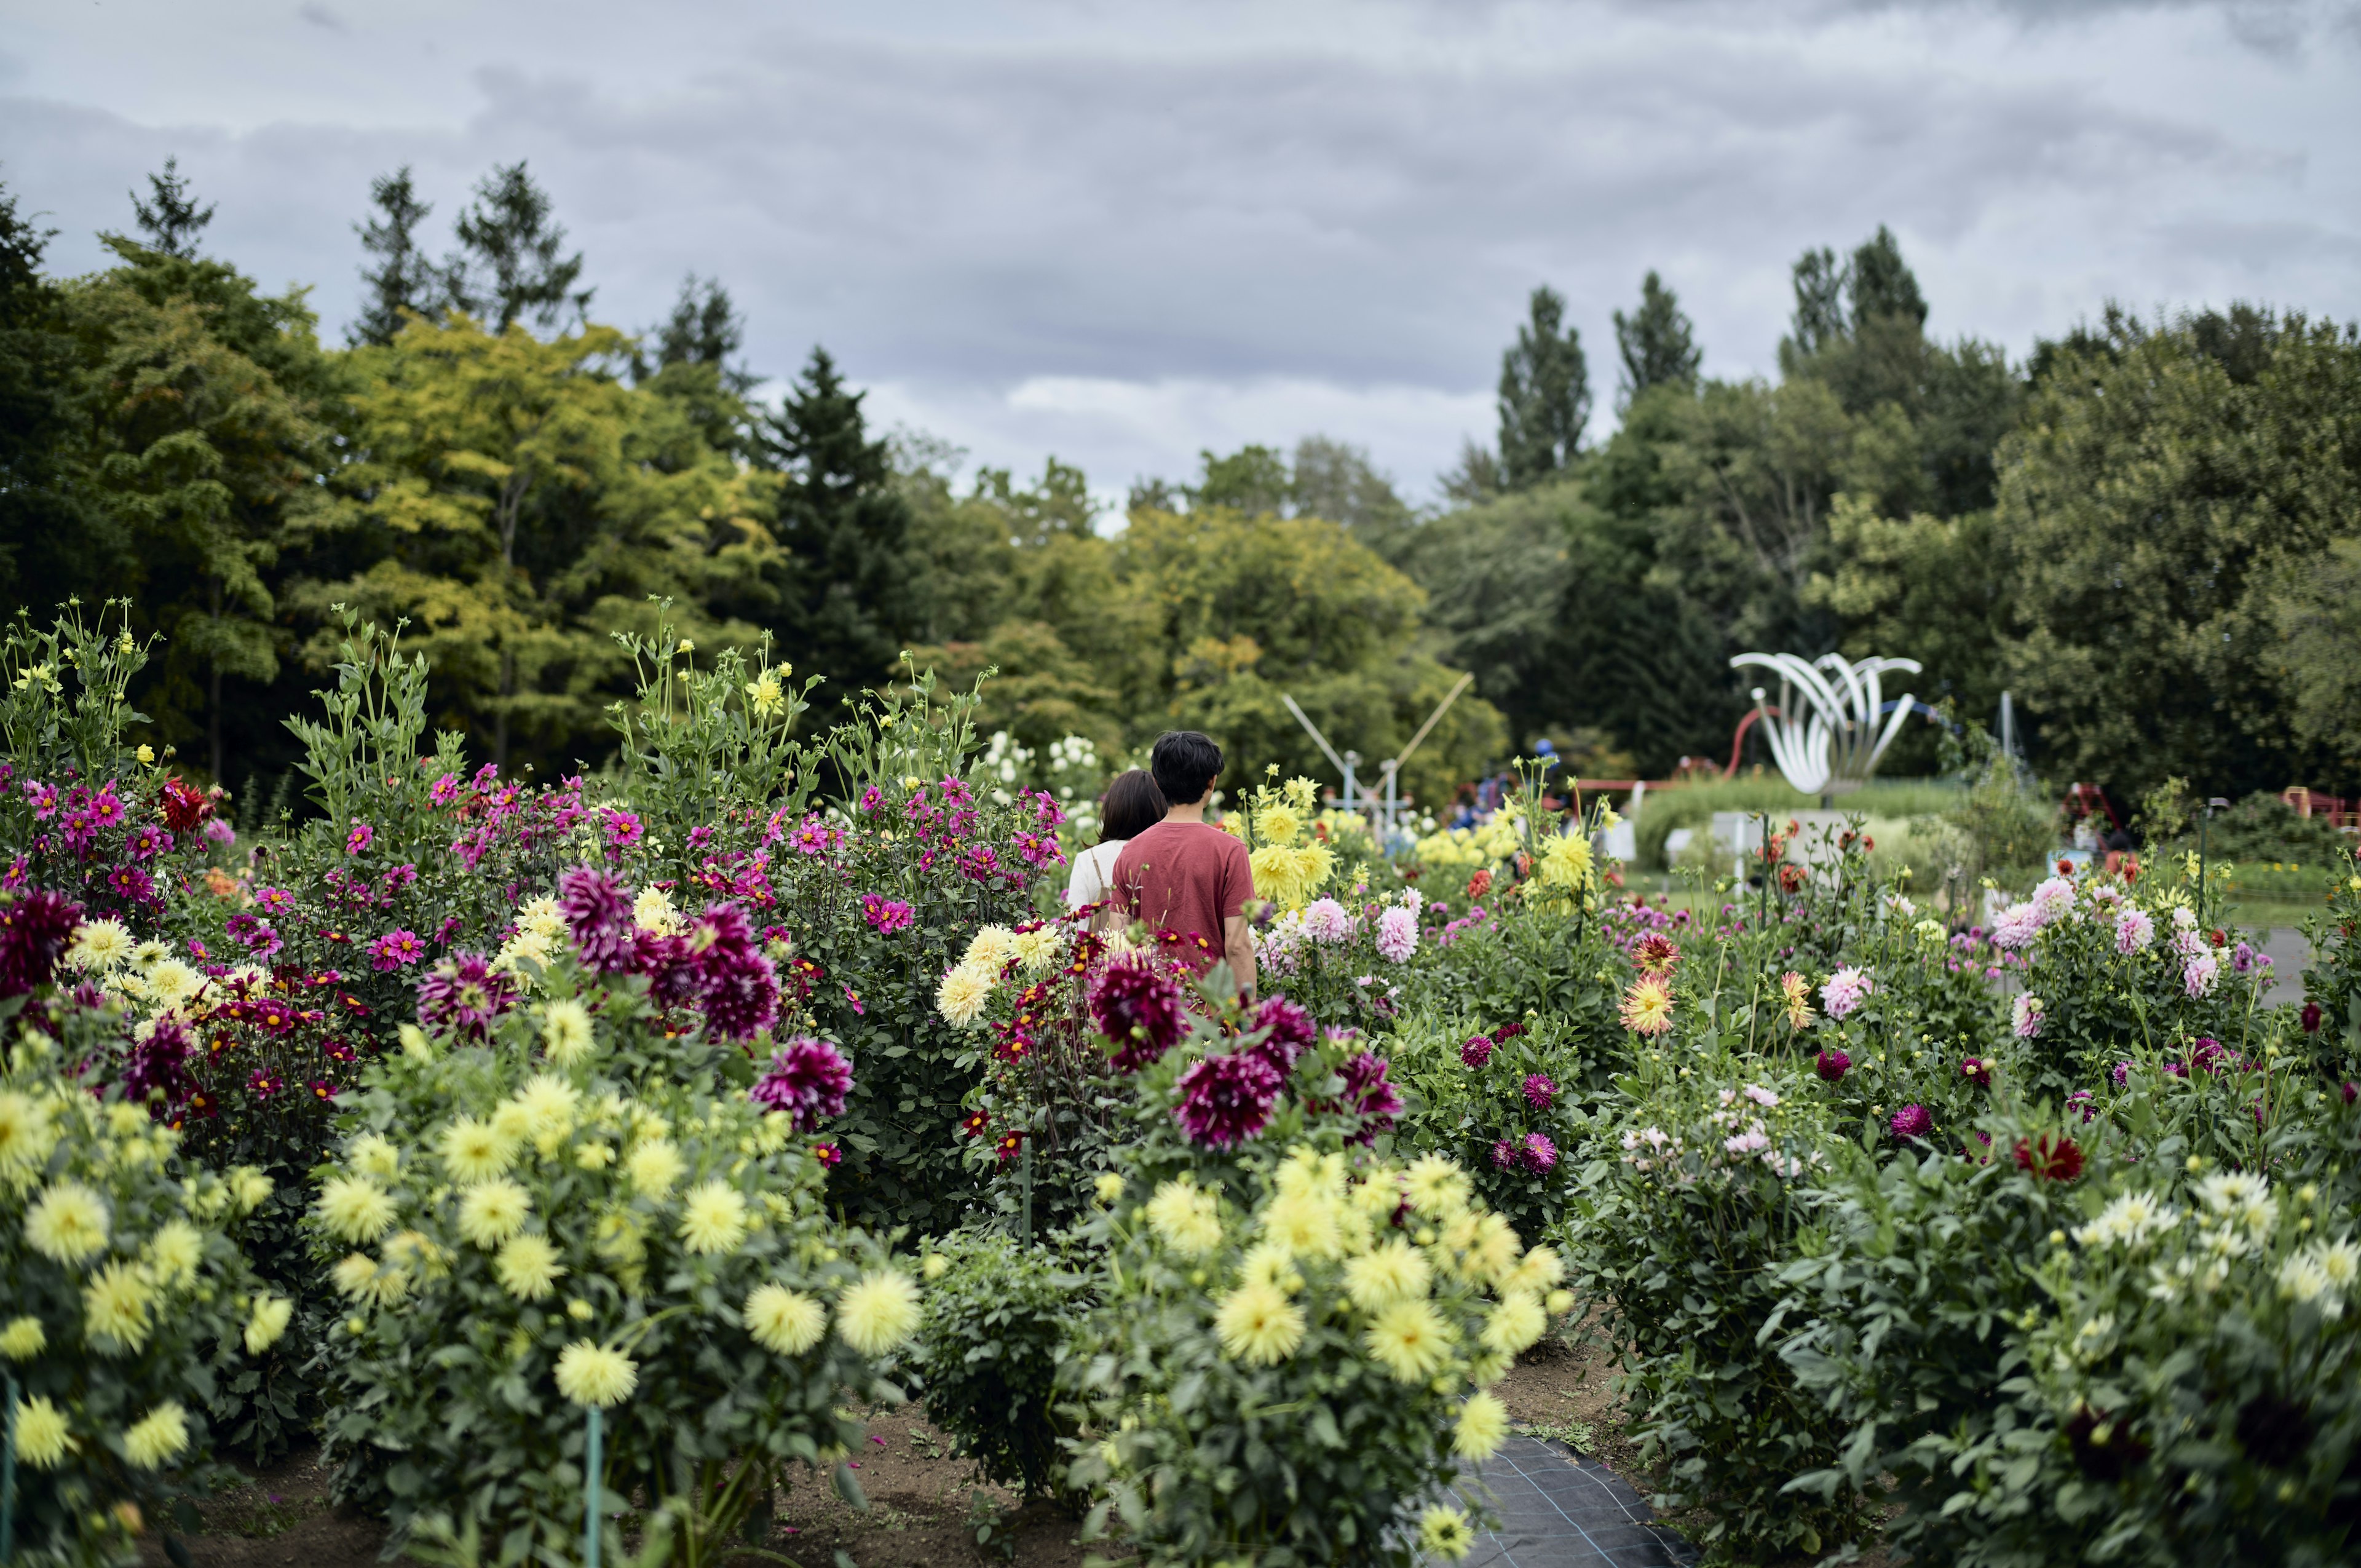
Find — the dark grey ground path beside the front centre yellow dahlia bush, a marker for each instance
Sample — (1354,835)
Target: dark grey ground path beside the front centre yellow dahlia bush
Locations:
(1559,1510)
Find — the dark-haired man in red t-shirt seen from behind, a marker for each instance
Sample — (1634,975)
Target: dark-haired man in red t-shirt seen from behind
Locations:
(1186,875)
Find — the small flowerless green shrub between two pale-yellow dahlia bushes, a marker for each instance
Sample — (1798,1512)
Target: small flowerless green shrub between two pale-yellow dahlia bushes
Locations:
(988,1352)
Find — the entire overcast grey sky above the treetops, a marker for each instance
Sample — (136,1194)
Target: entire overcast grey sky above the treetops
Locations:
(1125,233)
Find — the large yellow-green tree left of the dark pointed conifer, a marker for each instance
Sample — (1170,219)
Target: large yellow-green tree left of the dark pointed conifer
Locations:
(521,504)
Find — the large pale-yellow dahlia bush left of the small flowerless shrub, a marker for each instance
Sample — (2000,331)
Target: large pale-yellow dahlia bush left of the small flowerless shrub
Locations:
(693,1281)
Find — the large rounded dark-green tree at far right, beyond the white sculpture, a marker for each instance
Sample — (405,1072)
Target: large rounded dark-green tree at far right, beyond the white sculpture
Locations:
(2159,499)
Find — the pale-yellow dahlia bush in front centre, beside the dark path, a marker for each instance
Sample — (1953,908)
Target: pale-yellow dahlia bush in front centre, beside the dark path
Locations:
(1290,1366)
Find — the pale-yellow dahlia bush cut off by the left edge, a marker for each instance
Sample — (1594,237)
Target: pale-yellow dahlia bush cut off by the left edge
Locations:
(124,1291)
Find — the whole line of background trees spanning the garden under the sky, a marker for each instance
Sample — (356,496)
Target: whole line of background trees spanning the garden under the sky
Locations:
(2147,530)
